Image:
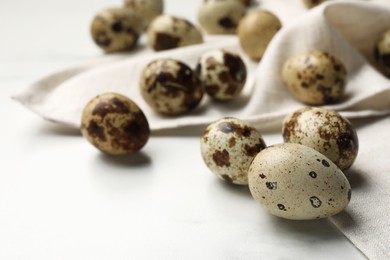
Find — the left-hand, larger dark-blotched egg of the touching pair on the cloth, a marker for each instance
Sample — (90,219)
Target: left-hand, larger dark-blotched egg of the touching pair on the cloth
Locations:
(170,87)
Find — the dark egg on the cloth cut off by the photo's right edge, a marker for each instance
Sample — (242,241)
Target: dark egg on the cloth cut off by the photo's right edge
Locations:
(382,53)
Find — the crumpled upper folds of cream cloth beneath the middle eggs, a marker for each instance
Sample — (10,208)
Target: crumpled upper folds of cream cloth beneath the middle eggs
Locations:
(346,29)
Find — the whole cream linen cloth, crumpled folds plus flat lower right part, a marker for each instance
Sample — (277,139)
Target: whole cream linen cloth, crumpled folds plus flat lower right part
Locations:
(345,29)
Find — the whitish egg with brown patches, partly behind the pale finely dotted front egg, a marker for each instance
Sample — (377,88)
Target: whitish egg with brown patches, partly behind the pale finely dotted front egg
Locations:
(228,146)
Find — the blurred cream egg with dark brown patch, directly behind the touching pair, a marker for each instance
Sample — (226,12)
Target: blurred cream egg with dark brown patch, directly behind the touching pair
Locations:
(169,32)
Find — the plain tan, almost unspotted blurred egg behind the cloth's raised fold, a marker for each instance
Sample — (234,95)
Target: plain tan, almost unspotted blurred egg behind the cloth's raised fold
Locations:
(256,30)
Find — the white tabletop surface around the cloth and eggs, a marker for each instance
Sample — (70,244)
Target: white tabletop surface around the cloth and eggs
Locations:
(62,199)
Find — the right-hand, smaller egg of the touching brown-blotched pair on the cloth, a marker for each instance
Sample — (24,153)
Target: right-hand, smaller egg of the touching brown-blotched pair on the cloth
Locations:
(223,74)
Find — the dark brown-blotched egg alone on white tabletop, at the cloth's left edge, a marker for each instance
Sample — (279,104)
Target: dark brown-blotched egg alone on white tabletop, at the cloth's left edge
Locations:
(114,124)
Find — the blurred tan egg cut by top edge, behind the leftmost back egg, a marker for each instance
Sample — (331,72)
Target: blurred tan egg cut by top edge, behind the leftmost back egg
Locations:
(147,9)
